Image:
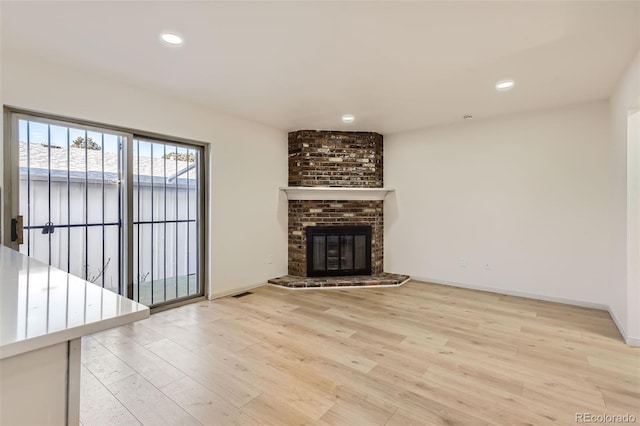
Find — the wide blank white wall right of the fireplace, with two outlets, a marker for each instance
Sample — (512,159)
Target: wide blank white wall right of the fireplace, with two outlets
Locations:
(526,193)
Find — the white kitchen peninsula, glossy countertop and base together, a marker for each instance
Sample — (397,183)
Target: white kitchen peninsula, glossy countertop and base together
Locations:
(44,313)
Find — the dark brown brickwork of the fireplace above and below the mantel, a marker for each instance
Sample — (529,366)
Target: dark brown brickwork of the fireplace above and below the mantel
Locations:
(334,159)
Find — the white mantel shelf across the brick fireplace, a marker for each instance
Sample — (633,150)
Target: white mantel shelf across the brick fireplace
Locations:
(333,193)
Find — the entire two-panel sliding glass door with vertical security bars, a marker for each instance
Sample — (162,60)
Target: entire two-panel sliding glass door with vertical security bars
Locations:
(121,211)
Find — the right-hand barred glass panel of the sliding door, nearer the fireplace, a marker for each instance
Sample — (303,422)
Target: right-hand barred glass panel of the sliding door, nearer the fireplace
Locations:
(166,221)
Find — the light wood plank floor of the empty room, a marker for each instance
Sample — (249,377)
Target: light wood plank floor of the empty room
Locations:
(419,354)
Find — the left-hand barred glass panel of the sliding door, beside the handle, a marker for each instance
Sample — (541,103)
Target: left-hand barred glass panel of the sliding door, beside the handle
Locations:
(70,196)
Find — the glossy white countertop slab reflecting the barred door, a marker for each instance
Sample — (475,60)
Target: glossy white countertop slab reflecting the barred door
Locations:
(42,306)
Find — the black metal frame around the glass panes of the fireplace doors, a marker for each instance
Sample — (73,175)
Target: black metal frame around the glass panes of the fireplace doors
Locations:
(339,231)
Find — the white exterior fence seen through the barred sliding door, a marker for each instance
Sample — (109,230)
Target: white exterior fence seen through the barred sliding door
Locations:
(75,225)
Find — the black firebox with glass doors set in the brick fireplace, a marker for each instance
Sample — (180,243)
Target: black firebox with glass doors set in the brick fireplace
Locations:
(338,251)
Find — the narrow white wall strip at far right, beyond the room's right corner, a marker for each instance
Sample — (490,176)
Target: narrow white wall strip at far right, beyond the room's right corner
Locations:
(625,282)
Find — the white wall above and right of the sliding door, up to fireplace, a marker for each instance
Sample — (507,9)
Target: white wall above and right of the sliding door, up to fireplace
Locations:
(248,222)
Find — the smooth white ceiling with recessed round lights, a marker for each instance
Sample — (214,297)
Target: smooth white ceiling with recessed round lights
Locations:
(301,65)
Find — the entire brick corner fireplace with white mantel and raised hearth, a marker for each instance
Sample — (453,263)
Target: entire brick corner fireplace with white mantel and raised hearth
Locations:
(335,180)
